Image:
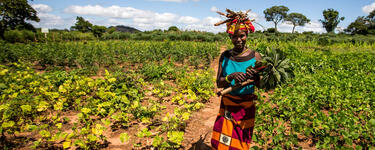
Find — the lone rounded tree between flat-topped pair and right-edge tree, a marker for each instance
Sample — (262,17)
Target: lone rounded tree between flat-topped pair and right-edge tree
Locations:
(331,19)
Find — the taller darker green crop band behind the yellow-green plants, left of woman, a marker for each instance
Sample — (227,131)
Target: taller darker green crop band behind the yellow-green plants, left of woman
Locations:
(94,54)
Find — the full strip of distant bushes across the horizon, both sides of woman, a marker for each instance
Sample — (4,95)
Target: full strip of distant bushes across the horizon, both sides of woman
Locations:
(25,36)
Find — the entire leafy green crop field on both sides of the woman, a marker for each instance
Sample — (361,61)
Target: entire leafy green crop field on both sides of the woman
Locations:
(141,94)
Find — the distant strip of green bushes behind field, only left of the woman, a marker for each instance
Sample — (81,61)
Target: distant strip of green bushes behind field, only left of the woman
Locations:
(25,36)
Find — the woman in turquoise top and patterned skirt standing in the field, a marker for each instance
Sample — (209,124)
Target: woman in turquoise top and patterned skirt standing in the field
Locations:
(234,124)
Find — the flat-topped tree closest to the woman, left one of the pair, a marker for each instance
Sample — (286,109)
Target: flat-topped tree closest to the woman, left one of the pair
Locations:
(276,14)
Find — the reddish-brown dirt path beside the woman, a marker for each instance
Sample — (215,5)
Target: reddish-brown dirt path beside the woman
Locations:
(199,128)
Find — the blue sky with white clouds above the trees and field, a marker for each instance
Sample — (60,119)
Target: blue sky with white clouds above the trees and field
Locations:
(189,14)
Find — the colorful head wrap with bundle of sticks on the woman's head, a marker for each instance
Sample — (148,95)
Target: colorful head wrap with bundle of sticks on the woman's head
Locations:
(236,21)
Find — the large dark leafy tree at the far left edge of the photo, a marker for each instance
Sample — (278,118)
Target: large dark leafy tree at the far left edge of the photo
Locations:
(14,13)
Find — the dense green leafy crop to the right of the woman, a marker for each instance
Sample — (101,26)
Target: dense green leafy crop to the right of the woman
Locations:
(329,102)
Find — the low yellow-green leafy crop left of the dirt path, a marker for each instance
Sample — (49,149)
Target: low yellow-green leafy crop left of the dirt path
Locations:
(39,103)
